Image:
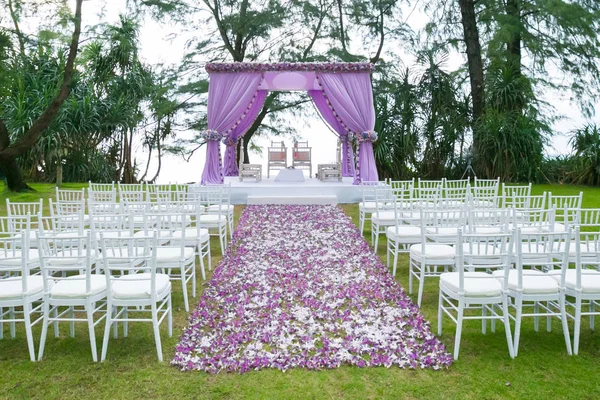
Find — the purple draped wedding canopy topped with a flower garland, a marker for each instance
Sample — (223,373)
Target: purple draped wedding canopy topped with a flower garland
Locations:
(342,94)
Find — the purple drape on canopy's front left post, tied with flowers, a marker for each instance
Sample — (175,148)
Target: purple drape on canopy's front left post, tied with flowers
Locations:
(229,96)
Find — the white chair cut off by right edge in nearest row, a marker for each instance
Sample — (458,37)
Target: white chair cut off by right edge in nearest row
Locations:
(582,283)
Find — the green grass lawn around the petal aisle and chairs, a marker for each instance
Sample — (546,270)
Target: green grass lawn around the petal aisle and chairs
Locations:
(483,371)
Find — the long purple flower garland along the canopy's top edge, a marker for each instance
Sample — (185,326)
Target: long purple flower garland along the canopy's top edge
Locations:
(291,67)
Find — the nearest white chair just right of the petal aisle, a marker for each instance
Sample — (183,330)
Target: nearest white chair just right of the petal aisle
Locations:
(472,287)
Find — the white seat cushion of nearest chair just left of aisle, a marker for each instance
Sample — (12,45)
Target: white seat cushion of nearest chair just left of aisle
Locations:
(138,286)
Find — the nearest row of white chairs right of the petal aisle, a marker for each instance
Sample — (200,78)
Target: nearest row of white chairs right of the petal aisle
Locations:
(551,274)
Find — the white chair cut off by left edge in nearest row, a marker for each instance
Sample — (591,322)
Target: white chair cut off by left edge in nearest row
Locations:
(19,289)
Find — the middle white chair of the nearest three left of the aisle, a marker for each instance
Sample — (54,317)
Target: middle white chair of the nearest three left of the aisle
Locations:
(70,286)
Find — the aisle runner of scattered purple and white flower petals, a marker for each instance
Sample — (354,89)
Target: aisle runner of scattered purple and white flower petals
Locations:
(299,287)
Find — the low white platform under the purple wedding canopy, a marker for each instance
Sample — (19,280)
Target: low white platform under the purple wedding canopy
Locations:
(344,191)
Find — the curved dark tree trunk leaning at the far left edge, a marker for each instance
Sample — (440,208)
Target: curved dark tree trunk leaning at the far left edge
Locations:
(13,146)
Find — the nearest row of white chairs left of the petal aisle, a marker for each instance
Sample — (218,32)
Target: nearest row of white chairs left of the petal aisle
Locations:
(58,280)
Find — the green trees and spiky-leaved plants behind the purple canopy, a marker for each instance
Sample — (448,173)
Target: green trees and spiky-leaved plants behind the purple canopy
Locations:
(76,118)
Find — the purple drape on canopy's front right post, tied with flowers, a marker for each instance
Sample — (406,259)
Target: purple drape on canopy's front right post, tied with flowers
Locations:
(351,96)
